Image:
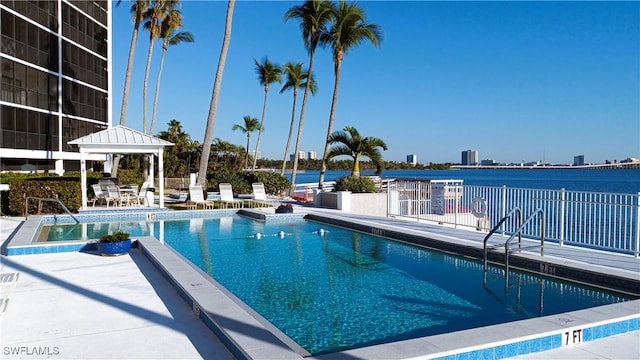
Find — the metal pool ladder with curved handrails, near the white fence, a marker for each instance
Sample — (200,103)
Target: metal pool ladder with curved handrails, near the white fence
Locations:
(508,249)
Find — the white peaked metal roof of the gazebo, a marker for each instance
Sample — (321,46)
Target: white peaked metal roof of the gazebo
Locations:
(120,139)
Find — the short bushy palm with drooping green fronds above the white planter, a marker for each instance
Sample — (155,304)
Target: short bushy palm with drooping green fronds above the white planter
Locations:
(349,142)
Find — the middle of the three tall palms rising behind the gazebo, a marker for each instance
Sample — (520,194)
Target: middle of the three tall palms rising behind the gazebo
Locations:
(155,15)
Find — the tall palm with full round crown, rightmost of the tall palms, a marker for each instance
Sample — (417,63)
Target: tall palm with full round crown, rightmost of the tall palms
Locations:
(349,29)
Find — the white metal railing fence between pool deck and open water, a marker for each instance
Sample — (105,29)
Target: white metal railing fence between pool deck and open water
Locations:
(599,220)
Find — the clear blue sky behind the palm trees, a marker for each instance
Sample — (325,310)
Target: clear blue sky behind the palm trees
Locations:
(514,80)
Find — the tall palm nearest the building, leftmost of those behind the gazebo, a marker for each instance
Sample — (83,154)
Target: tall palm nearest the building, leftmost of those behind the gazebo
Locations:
(138,9)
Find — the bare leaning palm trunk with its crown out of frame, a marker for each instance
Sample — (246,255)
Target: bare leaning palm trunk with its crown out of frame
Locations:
(213,107)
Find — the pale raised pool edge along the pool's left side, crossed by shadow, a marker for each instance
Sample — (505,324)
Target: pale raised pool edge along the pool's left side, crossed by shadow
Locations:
(239,331)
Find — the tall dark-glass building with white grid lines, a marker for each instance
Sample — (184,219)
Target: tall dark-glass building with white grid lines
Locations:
(55,59)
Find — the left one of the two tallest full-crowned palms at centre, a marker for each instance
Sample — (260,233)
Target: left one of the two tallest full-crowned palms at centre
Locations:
(314,17)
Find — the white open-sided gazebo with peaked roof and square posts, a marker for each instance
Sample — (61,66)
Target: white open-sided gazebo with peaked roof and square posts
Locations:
(120,140)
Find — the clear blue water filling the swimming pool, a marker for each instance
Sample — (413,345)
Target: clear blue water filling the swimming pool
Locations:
(347,289)
